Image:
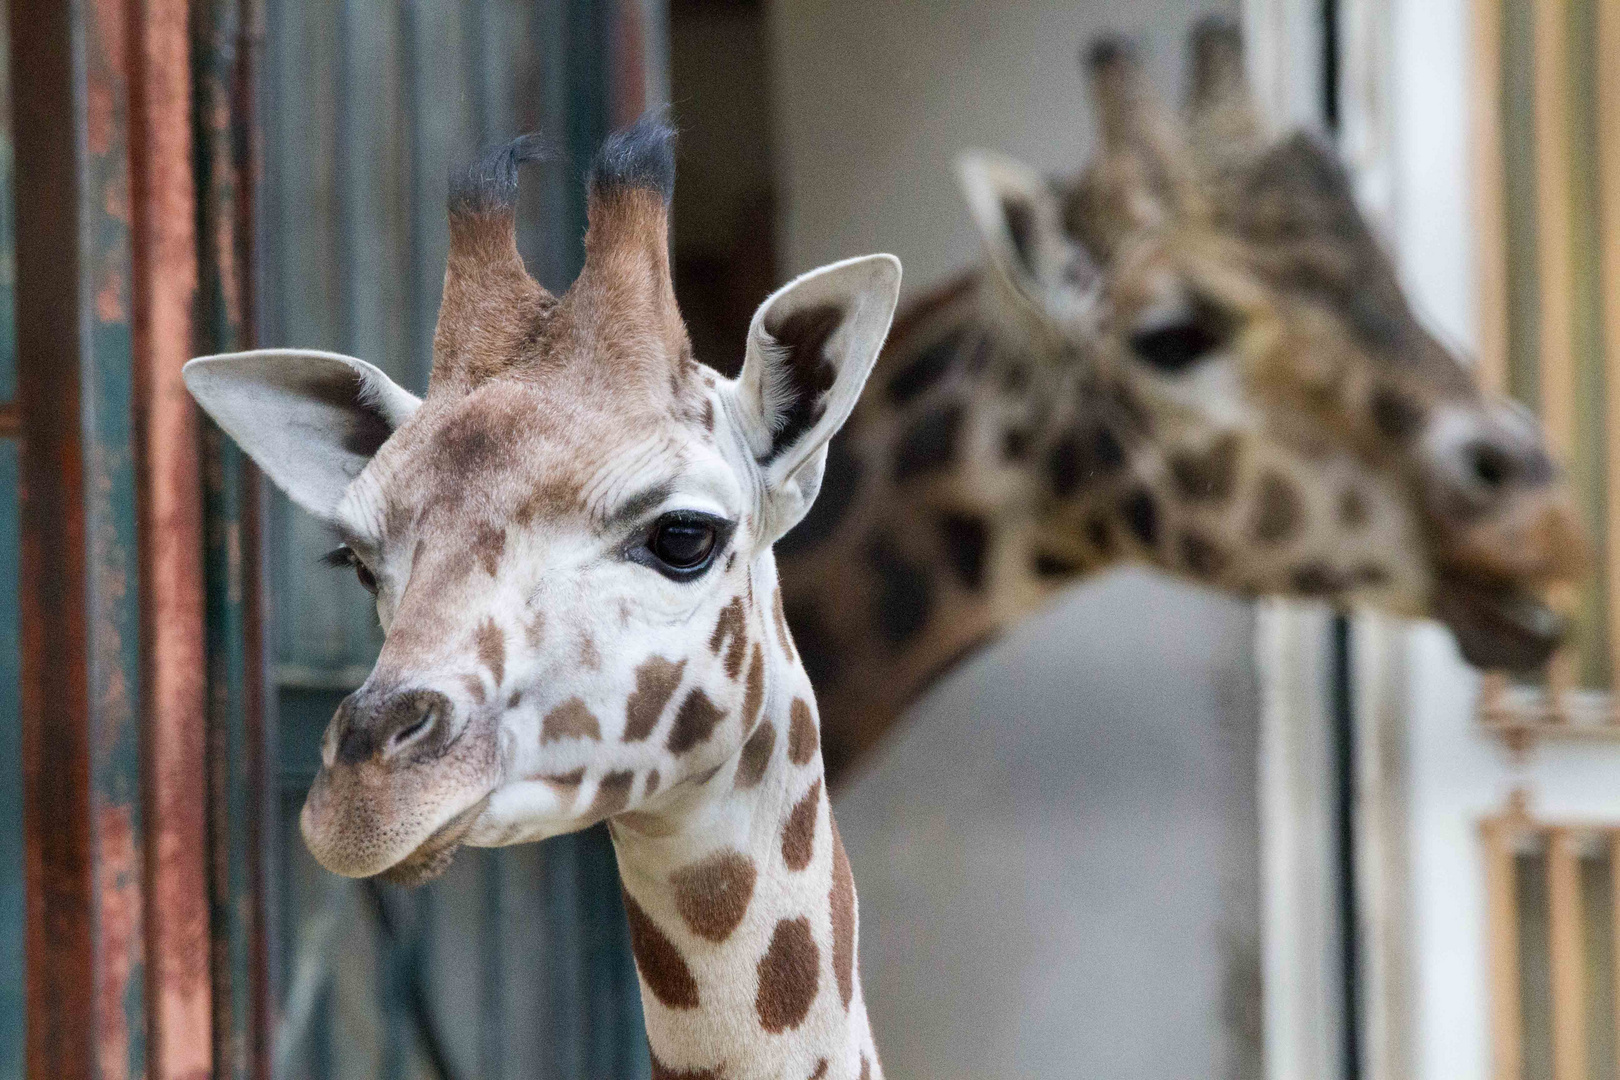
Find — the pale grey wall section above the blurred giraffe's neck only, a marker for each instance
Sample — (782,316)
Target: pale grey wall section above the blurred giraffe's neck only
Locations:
(876,98)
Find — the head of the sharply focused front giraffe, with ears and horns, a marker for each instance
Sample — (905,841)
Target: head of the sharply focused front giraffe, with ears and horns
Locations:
(565,537)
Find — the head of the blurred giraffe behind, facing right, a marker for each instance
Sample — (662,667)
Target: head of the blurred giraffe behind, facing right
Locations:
(1260,407)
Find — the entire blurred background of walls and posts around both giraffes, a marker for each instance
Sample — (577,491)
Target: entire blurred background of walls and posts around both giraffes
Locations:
(1153,833)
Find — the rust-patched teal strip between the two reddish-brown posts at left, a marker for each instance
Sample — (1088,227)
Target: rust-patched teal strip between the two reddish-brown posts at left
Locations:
(111,519)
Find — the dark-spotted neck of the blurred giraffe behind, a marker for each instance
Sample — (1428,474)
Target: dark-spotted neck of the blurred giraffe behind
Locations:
(926,542)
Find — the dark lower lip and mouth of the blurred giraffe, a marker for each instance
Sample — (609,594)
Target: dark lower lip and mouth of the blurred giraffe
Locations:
(1499,626)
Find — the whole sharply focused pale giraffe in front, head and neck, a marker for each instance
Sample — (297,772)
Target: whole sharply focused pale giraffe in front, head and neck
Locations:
(571,551)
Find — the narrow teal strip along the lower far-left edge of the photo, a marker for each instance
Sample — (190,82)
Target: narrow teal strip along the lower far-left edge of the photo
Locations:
(12,1047)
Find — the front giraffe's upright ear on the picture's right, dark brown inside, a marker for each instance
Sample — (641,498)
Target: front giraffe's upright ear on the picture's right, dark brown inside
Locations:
(811,347)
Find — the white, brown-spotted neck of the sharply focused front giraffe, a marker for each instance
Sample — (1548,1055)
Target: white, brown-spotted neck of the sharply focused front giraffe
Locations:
(741,903)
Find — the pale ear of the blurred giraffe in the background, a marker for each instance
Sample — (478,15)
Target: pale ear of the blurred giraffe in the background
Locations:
(1020,221)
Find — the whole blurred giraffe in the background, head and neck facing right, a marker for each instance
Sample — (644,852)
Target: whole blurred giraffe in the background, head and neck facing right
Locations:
(1196,357)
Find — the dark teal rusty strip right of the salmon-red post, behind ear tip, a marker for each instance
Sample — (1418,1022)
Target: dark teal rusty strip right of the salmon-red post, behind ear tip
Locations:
(221,326)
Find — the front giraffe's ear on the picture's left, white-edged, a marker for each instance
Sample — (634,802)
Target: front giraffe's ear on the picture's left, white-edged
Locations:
(310,420)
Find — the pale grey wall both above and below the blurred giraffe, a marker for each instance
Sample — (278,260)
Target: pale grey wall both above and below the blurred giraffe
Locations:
(1059,856)
